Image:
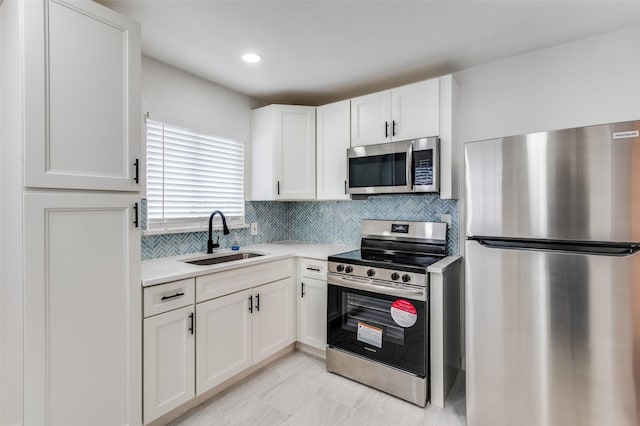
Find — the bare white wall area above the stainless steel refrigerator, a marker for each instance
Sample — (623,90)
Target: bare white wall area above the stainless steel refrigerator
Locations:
(586,82)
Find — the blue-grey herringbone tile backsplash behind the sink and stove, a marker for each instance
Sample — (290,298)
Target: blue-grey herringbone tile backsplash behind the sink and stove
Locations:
(329,222)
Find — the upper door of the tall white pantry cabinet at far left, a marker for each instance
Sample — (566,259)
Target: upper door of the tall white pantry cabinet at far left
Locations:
(82,96)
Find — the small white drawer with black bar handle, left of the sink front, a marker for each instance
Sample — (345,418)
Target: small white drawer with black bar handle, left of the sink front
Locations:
(165,297)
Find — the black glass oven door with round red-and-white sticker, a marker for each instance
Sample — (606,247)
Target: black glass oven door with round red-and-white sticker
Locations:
(386,323)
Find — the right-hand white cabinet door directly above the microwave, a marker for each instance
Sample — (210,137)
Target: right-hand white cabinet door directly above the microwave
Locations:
(415,110)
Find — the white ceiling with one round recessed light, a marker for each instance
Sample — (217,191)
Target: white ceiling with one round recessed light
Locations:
(316,52)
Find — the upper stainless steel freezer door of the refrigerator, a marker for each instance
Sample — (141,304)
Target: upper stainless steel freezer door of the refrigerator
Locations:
(574,184)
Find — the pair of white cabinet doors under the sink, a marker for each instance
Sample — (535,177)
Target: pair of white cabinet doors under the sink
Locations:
(237,331)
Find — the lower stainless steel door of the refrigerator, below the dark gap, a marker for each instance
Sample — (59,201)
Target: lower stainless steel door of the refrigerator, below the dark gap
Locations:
(552,338)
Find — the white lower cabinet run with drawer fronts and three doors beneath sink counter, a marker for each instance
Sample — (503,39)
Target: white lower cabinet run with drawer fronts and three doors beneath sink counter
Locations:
(197,337)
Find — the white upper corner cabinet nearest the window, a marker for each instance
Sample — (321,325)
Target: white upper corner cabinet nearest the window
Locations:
(283,153)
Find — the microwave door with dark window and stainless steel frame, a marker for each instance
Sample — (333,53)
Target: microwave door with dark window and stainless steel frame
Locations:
(378,169)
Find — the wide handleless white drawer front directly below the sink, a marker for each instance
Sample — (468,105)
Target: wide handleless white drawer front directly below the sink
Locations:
(227,282)
